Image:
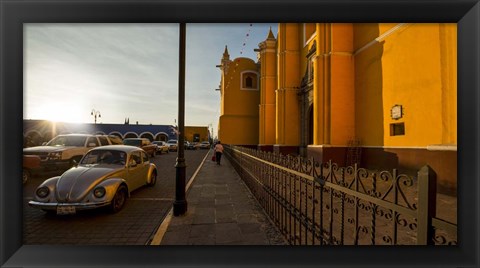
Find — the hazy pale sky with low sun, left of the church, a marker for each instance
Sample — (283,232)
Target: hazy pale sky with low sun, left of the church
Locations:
(129,70)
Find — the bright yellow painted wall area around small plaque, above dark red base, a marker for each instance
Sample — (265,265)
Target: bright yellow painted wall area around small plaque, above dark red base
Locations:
(408,67)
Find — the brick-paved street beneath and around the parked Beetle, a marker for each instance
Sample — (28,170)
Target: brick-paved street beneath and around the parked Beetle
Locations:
(134,225)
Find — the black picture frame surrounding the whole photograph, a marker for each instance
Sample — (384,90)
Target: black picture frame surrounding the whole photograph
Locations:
(14,13)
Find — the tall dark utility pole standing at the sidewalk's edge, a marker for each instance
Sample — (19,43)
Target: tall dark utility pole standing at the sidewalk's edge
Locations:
(180,204)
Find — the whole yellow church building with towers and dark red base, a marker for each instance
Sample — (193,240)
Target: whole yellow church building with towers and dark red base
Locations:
(382,95)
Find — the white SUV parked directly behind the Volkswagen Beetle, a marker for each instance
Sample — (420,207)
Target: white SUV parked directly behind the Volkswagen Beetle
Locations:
(64,151)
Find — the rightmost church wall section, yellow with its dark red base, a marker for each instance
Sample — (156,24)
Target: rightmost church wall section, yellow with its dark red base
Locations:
(408,68)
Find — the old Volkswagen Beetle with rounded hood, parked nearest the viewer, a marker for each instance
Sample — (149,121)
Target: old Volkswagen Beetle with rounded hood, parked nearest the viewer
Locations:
(105,177)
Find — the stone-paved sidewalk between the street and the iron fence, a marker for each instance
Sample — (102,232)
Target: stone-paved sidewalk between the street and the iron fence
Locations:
(221,211)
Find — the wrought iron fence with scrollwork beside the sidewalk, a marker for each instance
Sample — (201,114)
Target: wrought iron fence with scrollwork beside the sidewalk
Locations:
(323,204)
